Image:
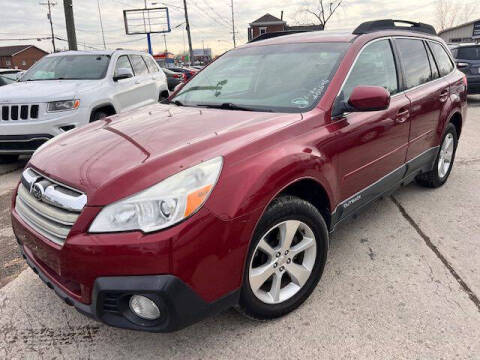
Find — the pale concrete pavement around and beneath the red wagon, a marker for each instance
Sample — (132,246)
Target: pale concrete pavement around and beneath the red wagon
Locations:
(402,282)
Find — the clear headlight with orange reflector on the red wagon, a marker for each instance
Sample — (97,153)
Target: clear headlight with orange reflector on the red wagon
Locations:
(162,205)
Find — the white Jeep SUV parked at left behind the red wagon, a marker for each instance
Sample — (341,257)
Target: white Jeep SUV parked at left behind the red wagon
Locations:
(70,89)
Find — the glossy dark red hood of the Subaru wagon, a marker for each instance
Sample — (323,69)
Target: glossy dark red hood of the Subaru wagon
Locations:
(135,150)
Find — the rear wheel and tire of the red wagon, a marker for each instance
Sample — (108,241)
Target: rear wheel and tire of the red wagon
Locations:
(444,161)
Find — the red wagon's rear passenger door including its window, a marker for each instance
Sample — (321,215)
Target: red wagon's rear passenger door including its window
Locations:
(427,93)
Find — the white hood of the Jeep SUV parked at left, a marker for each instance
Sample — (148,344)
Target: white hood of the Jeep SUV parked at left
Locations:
(42,90)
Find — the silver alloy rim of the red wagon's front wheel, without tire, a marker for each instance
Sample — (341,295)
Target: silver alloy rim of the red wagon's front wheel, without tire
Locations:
(282,262)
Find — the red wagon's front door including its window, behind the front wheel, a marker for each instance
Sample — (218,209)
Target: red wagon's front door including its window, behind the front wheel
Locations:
(373,145)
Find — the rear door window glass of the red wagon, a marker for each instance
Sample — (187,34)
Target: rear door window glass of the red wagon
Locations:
(415,61)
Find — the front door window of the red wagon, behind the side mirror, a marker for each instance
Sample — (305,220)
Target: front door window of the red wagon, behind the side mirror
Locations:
(375,66)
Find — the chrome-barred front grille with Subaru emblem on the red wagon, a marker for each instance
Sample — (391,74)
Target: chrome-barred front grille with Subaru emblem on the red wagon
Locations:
(48,207)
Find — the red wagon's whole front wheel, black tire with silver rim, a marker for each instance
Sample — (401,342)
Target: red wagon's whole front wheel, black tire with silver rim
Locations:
(264,302)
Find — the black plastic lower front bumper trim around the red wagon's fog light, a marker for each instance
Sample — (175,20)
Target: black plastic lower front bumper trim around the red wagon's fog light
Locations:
(179,305)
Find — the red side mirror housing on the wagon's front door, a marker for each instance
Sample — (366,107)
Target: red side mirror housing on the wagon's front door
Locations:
(369,98)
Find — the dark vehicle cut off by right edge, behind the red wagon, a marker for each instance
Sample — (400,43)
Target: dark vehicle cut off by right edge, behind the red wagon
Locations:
(467,57)
